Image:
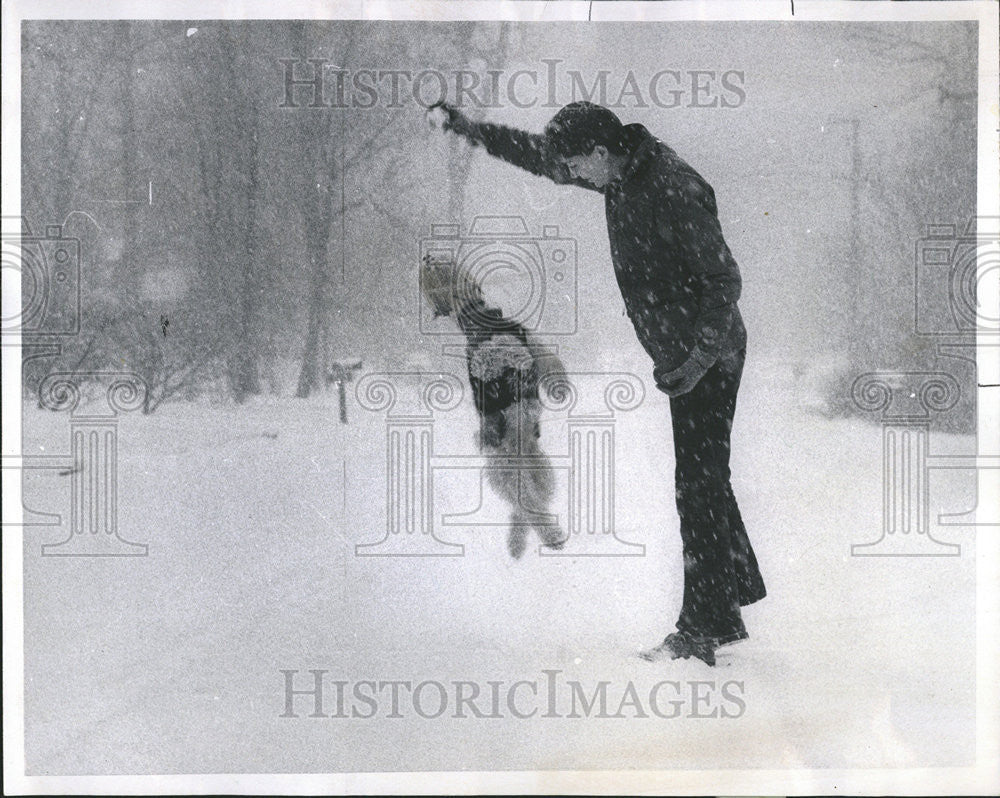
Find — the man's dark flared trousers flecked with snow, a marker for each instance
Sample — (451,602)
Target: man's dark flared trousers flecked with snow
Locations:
(720,568)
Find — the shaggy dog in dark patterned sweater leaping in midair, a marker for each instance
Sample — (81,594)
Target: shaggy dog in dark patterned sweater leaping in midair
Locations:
(506,366)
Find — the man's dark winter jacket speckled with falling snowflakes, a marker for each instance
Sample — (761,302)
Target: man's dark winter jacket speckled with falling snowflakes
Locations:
(679,280)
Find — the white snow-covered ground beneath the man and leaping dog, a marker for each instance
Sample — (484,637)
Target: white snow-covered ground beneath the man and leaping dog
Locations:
(172,662)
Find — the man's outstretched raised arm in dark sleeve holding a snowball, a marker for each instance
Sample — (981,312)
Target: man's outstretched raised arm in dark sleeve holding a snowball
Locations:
(517,147)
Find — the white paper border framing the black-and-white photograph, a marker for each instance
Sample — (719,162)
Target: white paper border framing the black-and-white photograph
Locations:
(983,778)
